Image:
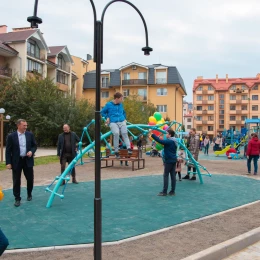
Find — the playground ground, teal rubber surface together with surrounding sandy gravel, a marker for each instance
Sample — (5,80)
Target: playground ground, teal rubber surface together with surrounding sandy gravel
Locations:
(132,197)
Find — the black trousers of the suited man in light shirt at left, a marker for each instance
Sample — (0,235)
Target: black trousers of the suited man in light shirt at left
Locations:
(28,173)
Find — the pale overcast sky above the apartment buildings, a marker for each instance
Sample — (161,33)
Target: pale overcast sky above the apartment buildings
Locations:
(199,37)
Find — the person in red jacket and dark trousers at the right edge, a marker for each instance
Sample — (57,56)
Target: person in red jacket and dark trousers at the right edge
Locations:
(253,151)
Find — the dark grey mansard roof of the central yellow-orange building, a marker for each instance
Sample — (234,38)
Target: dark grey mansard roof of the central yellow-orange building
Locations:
(174,76)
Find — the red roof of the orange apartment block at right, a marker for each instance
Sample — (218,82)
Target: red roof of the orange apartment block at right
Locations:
(223,85)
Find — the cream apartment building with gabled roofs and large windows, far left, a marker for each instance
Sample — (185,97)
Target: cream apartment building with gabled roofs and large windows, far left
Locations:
(25,53)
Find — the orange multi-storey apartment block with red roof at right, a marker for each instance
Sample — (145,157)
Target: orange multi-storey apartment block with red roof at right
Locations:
(224,103)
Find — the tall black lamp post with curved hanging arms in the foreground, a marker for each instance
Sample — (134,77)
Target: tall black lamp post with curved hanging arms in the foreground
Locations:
(98,58)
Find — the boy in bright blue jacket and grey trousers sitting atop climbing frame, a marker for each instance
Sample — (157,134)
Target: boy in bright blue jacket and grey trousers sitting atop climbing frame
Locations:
(116,118)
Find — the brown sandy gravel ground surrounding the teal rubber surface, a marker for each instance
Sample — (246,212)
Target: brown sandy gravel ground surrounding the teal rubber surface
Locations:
(173,244)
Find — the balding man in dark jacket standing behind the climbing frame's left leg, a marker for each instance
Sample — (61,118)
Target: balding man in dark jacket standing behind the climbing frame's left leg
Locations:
(67,149)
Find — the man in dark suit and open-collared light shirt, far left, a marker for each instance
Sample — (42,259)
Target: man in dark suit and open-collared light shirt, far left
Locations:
(20,149)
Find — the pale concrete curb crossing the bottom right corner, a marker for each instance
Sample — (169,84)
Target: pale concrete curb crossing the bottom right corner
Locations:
(227,248)
